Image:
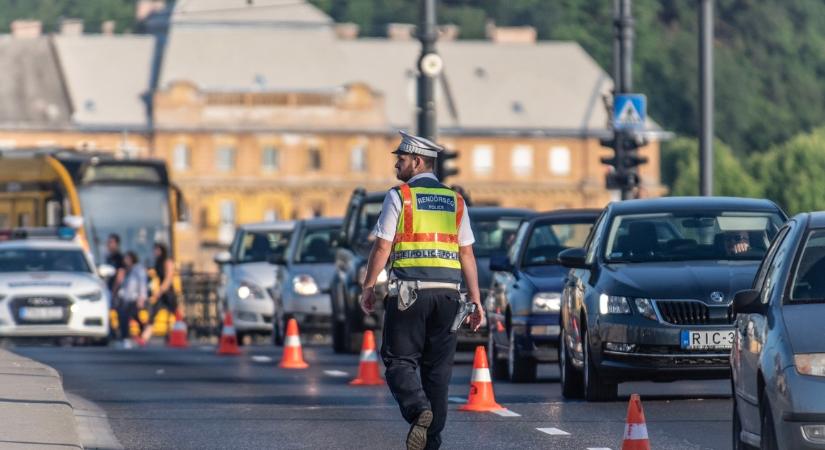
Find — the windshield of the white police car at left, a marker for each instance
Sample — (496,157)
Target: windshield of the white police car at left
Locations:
(43,260)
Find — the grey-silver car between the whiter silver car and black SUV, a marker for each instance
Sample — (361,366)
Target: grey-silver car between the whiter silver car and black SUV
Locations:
(304,277)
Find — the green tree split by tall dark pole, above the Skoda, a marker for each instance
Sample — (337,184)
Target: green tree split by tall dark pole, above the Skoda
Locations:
(680,170)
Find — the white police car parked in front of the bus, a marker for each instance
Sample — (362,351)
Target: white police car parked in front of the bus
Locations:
(50,288)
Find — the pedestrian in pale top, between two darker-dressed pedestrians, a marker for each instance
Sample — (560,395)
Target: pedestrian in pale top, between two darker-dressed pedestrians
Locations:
(132,294)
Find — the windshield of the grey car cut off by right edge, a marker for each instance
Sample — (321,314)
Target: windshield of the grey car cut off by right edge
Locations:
(809,280)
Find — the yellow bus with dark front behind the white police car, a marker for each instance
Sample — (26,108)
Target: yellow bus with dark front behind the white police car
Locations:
(95,193)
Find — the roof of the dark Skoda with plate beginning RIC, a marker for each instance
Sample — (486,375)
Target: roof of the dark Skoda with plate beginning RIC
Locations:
(688,204)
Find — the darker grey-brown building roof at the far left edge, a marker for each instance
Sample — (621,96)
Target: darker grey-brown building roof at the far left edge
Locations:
(31,90)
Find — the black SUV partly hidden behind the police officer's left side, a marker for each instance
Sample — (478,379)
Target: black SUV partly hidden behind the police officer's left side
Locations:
(348,320)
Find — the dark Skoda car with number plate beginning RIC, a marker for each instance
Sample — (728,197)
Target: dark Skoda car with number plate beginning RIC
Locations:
(649,297)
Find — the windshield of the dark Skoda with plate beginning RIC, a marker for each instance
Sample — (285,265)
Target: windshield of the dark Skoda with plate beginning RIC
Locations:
(698,235)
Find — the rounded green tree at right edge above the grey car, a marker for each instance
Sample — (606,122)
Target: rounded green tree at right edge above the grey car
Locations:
(792,173)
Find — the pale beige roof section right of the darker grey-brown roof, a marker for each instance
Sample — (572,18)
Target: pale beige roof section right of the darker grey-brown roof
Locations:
(107,78)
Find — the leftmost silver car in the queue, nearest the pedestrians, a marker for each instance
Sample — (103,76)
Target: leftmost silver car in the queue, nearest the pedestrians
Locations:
(247,275)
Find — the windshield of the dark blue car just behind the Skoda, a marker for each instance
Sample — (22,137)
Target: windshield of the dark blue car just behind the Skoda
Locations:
(550,238)
